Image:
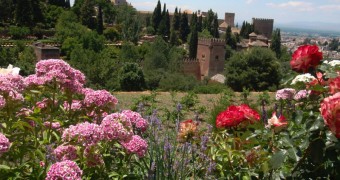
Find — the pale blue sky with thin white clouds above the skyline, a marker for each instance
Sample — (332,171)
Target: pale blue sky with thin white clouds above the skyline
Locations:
(282,11)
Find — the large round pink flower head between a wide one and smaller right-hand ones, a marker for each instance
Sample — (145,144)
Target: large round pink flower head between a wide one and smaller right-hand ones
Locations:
(116,126)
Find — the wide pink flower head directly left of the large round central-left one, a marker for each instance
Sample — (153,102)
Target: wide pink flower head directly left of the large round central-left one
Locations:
(84,133)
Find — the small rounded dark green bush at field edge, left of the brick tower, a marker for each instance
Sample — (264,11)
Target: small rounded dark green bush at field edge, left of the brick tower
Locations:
(131,77)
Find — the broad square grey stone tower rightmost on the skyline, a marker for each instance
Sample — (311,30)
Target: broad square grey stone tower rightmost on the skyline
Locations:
(263,26)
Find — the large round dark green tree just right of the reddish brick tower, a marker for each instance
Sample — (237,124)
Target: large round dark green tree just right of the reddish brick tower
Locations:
(256,69)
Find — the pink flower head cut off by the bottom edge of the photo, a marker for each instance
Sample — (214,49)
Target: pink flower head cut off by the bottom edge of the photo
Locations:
(64,170)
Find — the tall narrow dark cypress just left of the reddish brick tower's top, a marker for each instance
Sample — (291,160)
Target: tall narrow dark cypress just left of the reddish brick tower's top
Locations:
(194,37)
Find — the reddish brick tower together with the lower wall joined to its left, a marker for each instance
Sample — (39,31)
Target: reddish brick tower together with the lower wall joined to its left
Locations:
(209,61)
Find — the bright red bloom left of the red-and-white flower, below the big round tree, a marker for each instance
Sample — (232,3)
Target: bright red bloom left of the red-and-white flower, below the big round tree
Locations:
(234,115)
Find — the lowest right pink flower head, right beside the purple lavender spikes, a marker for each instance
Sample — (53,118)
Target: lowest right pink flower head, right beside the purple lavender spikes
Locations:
(136,145)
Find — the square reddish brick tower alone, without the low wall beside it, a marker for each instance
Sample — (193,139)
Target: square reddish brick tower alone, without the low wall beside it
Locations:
(211,54)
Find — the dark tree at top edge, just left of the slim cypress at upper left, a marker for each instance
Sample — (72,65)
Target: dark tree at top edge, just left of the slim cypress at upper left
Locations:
(87,14)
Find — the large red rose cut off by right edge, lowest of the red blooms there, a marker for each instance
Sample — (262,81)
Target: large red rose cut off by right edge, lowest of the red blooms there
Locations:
(330,111)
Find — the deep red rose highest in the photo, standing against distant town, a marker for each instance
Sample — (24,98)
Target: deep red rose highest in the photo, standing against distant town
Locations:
(305,57)
